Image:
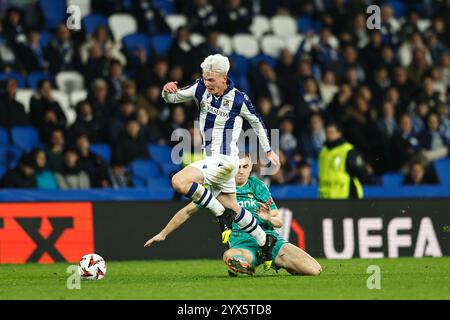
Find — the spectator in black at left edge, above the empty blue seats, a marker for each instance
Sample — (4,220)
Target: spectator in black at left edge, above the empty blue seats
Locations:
(12,112)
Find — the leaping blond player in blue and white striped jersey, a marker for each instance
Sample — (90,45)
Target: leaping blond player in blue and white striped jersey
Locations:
(222,109)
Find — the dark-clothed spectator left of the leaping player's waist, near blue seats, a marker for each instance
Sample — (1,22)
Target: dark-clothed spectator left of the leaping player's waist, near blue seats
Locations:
(130,146)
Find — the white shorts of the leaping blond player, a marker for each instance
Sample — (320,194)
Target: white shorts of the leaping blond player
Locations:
(219,172)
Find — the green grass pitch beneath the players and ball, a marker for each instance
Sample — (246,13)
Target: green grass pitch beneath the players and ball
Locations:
(404,278)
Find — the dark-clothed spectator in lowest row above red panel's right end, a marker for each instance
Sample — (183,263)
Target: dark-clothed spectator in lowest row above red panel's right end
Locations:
(92,163)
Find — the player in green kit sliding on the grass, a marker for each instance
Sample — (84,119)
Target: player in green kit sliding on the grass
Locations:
(243,255)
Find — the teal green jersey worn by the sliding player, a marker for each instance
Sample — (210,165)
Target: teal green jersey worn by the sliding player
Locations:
(249,196)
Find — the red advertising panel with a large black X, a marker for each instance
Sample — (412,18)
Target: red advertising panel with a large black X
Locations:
(45,232)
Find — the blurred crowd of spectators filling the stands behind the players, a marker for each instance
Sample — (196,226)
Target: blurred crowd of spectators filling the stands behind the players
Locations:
(389,89)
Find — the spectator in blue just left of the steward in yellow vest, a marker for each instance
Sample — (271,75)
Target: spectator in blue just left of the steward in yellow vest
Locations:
(313,138)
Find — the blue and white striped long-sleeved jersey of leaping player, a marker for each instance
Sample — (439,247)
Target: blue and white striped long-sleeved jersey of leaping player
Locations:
(220,118)
